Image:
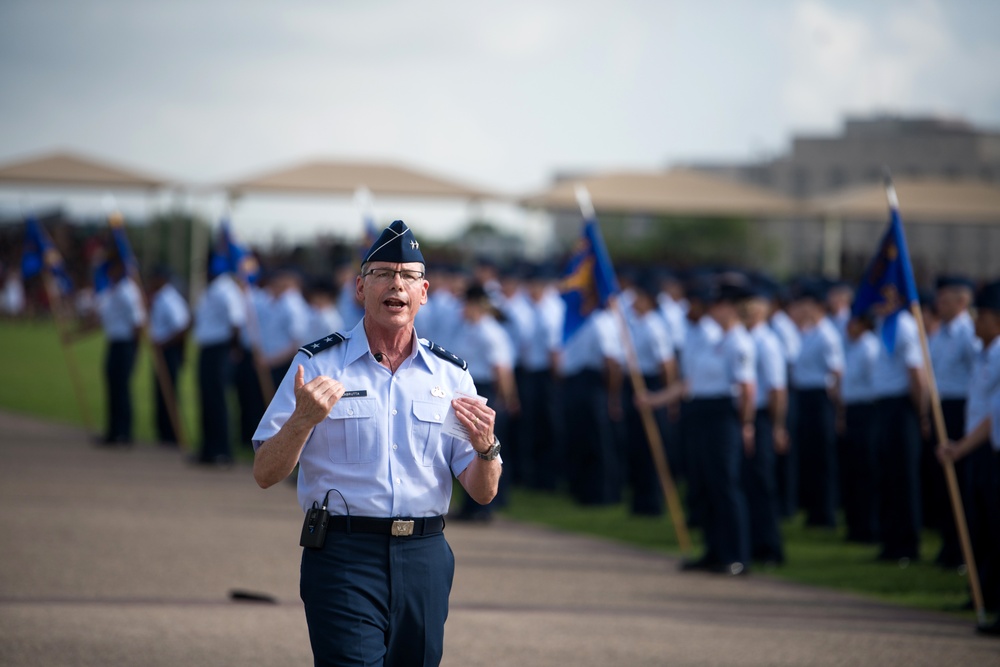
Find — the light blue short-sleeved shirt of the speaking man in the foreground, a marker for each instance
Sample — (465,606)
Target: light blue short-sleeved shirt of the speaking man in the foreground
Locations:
(381,445)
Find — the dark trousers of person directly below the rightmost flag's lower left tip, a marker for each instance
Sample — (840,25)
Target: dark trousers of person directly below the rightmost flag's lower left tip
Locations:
(860,475)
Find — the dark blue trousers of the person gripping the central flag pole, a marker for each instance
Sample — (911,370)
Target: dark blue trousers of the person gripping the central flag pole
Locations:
(719,465)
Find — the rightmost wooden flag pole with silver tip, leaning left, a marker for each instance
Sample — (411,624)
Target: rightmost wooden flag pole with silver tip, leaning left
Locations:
(942,437)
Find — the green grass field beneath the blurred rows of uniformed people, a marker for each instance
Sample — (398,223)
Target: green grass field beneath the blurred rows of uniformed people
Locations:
(36,382)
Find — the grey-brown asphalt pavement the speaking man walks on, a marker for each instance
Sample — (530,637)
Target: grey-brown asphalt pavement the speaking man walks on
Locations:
(130,557)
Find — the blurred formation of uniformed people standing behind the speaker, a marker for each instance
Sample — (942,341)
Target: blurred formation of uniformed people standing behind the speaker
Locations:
(772,400)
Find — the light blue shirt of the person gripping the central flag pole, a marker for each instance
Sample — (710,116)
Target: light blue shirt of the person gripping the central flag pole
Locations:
(719,361)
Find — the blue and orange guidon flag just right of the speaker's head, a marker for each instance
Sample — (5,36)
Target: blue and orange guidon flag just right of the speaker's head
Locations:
(589,281)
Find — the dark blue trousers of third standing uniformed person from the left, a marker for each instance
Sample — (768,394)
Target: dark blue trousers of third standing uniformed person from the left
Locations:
(214,369)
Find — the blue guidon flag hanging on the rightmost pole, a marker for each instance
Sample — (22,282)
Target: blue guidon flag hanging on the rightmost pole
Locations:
(888,279)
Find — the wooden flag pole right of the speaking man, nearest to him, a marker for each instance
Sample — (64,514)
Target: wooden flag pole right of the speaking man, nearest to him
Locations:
(653,437)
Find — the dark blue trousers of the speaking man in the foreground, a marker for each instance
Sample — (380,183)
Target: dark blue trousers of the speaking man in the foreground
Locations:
(377,600)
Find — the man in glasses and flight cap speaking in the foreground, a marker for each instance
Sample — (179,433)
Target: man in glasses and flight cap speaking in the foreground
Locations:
(363,414)
